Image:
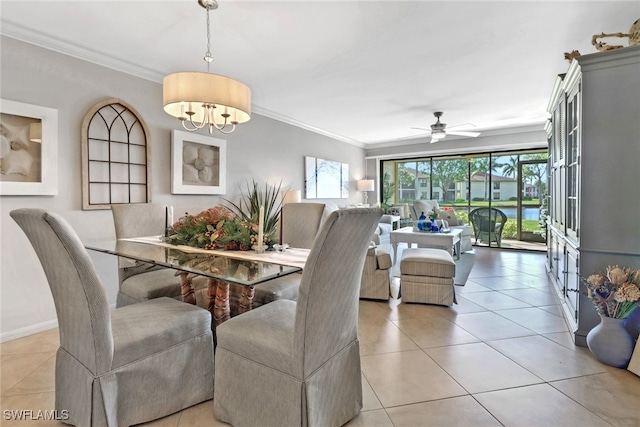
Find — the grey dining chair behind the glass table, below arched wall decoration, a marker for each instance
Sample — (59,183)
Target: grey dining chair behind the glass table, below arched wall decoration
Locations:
(140,281)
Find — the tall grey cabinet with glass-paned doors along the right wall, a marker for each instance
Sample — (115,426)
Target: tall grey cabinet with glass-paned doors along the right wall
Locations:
(594,179)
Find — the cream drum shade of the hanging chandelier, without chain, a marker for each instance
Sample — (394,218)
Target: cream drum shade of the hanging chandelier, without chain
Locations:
(186,92)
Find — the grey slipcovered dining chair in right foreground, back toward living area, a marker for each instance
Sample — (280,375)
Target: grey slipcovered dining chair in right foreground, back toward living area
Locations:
(298,363)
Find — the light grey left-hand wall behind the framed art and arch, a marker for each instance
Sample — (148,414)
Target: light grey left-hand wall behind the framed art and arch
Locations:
(263,149)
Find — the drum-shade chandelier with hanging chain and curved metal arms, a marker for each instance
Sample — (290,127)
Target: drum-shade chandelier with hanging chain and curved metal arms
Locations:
(205,99)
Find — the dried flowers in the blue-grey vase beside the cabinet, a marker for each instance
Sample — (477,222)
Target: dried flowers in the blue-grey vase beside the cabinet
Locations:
(614,293)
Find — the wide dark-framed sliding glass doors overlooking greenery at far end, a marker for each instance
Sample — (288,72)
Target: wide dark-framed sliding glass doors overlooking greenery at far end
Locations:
(514,182)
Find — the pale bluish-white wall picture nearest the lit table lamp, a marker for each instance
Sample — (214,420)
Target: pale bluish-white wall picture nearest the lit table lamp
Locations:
(326,179)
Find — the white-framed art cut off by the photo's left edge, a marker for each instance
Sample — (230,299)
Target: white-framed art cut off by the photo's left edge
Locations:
(28,149)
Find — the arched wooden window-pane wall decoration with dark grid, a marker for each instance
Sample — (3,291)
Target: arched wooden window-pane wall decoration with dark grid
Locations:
(115,156)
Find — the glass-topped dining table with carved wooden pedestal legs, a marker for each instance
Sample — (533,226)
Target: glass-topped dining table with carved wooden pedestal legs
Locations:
(222,267)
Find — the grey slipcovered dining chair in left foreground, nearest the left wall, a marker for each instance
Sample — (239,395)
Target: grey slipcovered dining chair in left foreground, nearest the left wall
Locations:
(135,364)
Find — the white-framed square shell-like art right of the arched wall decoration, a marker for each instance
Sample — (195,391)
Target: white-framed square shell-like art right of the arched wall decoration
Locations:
(198,164)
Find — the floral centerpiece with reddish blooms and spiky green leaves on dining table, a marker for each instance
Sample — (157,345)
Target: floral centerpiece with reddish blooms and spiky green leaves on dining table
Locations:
(232,228)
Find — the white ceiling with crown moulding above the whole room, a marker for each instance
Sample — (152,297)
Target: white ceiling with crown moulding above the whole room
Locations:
(365,72)
